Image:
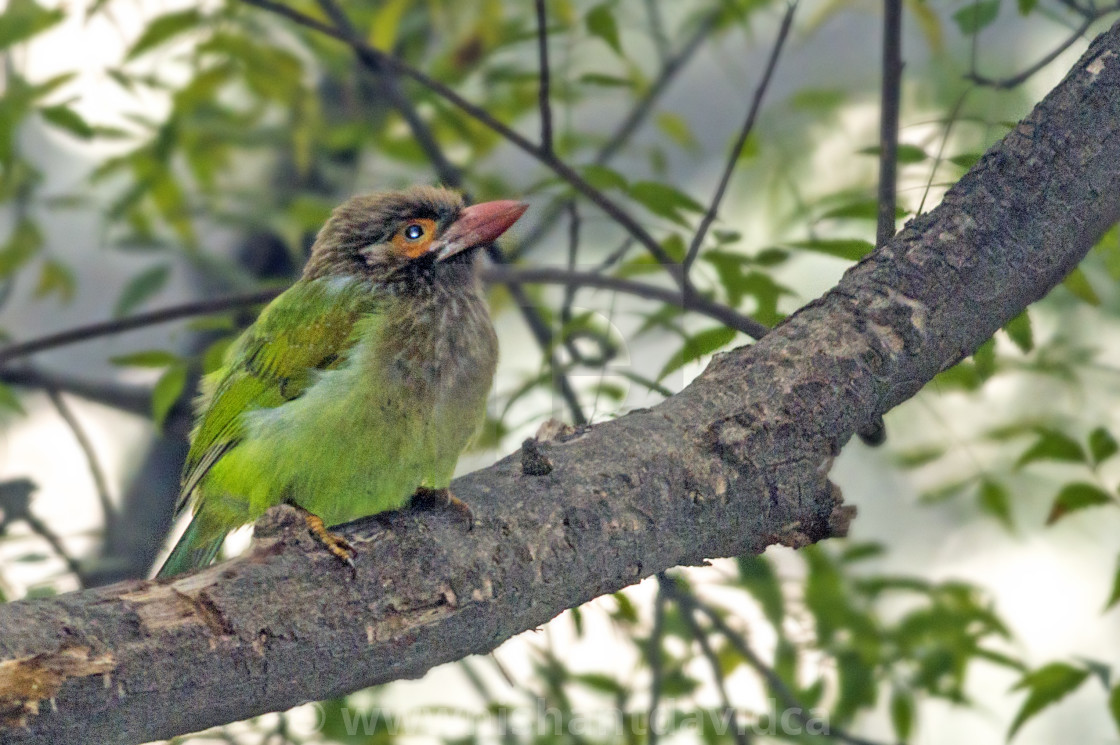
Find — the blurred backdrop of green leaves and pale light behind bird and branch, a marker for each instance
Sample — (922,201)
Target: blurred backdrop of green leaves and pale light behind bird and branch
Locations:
(154,154)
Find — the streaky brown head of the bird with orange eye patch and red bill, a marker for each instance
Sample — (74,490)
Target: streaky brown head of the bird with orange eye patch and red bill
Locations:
(412,236)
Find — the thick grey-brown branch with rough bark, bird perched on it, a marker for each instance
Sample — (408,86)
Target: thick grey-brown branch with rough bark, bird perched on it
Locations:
(734,463)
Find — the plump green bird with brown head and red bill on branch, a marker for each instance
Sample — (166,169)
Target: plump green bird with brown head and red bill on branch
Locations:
(359,387)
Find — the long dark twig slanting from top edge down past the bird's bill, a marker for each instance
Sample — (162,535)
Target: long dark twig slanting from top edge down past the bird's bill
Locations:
(549,161)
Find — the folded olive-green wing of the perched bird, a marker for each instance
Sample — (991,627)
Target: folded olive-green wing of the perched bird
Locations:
(306,330)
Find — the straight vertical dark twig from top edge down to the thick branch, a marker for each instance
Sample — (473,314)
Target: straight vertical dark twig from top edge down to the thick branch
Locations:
(890,100)
